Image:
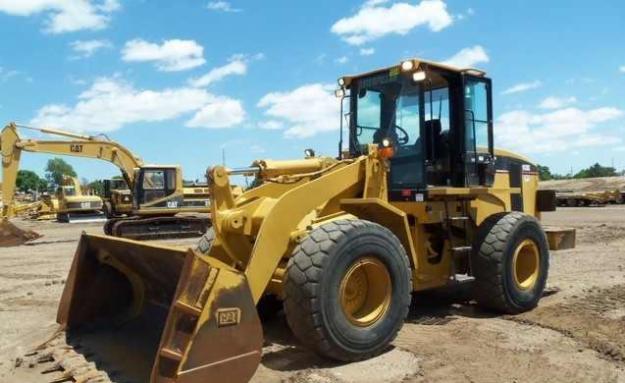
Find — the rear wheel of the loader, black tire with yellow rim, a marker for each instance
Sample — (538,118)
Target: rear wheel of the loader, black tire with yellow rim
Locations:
(510,263)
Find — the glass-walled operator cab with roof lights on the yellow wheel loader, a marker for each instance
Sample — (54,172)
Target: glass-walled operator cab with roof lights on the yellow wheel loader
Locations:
(433,123)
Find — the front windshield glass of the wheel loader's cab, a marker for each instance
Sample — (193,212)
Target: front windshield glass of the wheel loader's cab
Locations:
(388,106)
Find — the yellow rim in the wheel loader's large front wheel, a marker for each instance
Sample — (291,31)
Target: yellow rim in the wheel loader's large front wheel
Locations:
(365,291)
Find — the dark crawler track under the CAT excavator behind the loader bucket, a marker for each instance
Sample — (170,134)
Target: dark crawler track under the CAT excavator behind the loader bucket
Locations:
(157,227)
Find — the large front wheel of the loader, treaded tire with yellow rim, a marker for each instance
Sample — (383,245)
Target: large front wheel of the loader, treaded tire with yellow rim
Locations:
(348,289)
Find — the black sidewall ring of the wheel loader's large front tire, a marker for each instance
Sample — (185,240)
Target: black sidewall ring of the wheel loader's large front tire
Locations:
(366,241)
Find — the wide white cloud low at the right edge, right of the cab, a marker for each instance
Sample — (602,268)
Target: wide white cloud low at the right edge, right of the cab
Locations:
(555,131)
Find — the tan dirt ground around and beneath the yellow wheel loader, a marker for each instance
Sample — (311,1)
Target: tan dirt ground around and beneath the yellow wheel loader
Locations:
(577,334)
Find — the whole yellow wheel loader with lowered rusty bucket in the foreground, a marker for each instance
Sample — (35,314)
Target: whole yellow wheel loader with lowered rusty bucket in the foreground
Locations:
(417,199)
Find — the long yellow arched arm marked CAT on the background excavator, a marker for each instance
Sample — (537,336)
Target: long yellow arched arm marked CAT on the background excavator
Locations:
(12,146)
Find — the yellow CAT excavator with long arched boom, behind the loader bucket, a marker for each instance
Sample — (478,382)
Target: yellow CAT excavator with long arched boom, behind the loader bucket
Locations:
(160,206)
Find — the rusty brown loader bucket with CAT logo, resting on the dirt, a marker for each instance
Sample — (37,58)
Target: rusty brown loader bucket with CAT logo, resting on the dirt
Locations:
(159,314)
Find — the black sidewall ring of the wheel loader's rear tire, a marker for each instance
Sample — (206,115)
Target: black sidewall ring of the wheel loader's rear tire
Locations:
(525,299)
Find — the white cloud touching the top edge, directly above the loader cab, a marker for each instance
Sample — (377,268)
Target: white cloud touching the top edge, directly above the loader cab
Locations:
(374,20)
